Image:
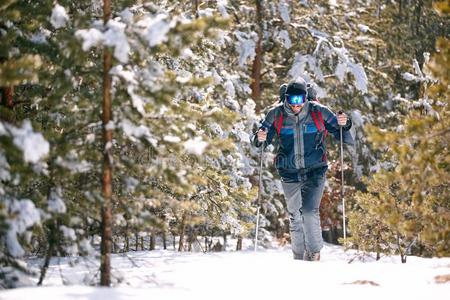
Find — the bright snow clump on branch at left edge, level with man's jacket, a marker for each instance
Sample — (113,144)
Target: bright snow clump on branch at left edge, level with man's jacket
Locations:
(33,145)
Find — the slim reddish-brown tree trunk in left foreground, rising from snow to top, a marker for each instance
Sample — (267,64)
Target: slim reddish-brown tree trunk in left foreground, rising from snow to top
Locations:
(105,265)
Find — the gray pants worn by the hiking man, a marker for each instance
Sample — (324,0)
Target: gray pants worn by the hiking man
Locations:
(303,201)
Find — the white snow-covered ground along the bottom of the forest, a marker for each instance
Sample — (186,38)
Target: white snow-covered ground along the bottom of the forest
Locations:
(266,274)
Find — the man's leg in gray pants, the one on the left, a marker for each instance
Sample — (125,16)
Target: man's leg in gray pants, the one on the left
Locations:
(293,195)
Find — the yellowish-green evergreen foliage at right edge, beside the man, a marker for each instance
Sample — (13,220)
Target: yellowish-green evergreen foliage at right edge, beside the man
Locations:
(409,201)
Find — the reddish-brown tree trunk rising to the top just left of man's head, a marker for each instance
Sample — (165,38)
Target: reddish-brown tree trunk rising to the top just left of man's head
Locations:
(257,62)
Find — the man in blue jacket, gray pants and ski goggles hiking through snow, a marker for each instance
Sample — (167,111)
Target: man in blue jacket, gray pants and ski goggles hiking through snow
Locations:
(301,126)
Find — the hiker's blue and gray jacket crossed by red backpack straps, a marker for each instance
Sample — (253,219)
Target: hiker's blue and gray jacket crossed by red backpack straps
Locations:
(301,146)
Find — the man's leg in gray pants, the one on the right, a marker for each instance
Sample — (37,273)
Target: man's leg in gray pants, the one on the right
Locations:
(312,191)
